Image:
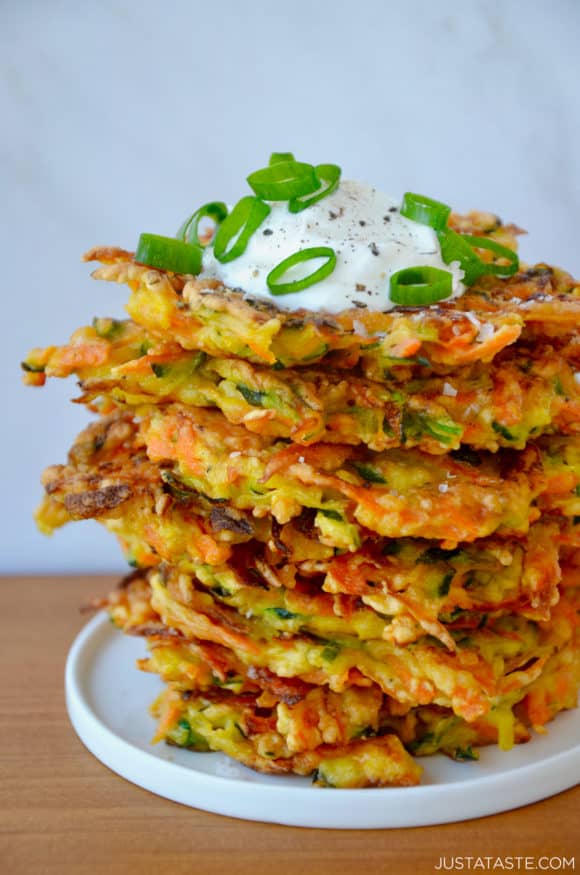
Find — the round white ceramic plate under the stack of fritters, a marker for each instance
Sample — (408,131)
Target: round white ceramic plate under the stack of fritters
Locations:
(108,701)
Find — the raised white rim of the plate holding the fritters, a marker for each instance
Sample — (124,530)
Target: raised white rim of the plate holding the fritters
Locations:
(367,808)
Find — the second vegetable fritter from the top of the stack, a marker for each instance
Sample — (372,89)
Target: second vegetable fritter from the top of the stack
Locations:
(528,390)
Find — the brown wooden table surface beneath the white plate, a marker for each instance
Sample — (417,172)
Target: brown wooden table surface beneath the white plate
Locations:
(63,812)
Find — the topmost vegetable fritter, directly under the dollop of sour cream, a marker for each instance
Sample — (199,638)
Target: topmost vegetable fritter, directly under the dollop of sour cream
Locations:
(203,315)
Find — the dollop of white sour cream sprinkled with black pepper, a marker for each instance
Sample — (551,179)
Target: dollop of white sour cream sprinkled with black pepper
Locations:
(371,238)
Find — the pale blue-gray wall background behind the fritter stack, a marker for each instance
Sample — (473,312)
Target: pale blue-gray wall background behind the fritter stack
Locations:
(120,117)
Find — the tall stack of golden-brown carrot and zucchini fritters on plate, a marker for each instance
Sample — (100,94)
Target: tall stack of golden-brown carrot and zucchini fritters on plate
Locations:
(355,536)
